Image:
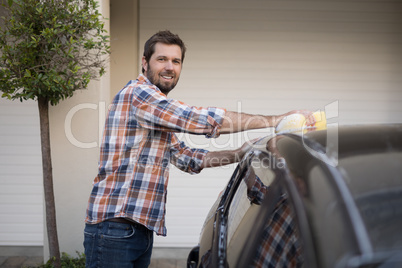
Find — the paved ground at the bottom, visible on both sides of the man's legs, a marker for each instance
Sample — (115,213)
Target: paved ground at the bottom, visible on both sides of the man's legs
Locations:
(19,262)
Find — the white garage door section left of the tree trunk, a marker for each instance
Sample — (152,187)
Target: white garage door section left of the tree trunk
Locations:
(21,201)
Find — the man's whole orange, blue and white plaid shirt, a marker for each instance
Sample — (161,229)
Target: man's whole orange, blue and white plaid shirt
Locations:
(138,145)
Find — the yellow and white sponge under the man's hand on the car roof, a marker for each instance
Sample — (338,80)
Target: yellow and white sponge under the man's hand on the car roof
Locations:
(296,123)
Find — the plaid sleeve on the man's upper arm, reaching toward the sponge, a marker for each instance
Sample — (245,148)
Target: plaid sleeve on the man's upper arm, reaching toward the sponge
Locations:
(154,110)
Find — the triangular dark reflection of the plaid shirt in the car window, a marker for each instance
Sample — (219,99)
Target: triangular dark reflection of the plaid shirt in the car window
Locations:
(280,245)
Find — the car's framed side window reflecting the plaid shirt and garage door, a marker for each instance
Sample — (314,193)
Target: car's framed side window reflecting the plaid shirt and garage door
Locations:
(254,223)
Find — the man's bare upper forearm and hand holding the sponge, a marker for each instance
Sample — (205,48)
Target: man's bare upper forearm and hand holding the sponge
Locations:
(236,122)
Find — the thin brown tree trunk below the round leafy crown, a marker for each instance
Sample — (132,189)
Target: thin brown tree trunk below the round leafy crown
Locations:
(54,250)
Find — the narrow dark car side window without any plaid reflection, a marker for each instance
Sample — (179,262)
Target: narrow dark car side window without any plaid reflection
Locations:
(328,219)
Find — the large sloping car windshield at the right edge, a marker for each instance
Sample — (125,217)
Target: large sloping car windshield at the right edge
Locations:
(375,181)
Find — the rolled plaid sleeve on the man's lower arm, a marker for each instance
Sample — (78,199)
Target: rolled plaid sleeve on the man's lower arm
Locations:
(184,158)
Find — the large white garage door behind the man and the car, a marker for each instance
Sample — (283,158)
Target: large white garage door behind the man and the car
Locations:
(270,57)
